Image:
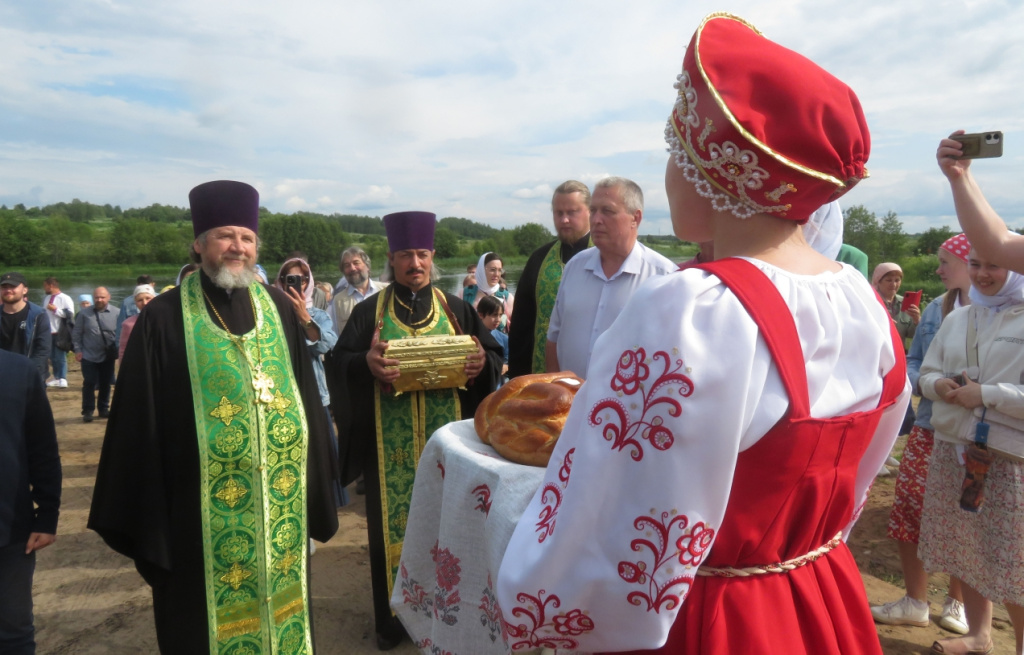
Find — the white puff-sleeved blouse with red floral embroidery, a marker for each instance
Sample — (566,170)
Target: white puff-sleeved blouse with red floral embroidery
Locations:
(679,386)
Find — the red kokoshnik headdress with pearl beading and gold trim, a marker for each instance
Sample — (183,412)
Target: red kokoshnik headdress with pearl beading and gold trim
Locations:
(758,128)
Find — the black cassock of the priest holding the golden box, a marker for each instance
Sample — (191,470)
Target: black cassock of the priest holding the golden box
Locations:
(359,448)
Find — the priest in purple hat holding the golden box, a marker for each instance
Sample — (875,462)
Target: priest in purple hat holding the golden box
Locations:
(390,450)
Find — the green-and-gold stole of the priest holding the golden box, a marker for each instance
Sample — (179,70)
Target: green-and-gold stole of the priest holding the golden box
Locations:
(404,424)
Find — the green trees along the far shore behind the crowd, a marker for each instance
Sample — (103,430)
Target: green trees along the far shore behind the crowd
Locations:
(79,234)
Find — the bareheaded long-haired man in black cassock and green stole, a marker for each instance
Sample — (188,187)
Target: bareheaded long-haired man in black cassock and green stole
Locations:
(539,283)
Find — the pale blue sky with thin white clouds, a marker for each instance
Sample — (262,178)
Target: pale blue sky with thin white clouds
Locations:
(465,109)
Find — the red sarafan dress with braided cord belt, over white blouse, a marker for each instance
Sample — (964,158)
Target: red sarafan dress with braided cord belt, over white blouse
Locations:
(792,494)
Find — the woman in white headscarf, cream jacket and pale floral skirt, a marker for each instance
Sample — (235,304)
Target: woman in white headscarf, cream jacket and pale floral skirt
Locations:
(976,363)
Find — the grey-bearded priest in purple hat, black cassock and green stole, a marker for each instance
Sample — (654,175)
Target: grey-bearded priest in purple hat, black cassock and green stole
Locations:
(216,470)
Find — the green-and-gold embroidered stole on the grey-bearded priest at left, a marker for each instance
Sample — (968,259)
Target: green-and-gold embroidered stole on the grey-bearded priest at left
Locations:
(253,473)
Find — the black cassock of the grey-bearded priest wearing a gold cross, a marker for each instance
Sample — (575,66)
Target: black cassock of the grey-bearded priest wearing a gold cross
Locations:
(147,500)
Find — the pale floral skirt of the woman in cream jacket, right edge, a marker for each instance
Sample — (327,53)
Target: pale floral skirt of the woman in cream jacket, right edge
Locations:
(986,549)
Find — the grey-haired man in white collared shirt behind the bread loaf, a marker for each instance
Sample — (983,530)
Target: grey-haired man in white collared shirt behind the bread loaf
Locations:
(598,283)
